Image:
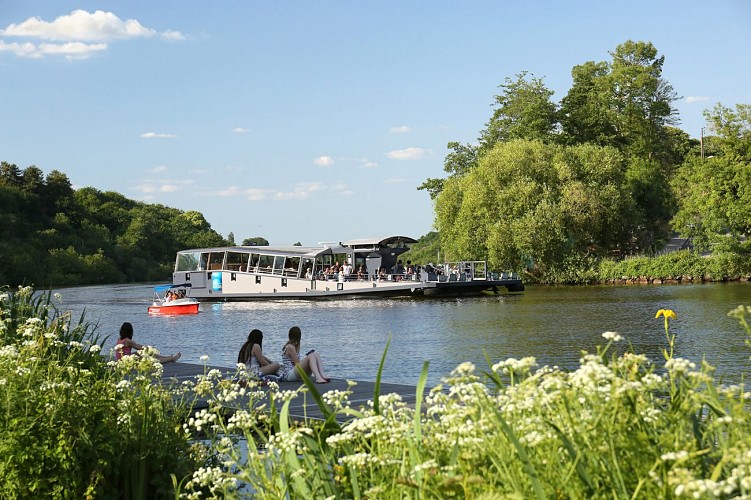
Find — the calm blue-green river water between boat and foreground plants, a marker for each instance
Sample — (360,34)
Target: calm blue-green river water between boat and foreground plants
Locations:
(554,324)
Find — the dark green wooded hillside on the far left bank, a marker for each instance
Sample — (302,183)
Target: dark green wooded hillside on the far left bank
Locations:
(55,235)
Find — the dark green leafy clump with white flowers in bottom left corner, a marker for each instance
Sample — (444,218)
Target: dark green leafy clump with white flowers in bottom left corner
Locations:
(74,426)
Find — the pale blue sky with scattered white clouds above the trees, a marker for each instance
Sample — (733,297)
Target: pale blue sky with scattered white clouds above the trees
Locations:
(314,121)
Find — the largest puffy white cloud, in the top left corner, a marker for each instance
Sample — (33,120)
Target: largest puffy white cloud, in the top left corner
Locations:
(82,34)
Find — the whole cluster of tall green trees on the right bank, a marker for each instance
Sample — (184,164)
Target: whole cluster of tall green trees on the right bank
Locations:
(555,187)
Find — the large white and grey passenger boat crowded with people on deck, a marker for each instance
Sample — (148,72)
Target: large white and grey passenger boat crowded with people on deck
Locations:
(363,267)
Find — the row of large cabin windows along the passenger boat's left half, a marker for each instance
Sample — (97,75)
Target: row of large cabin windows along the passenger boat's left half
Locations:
(253,262)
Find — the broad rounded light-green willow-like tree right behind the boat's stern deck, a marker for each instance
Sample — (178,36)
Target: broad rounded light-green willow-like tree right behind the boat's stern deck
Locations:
(532,205)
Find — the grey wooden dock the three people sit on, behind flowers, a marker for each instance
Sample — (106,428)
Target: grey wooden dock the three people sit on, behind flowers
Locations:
(301,407)
